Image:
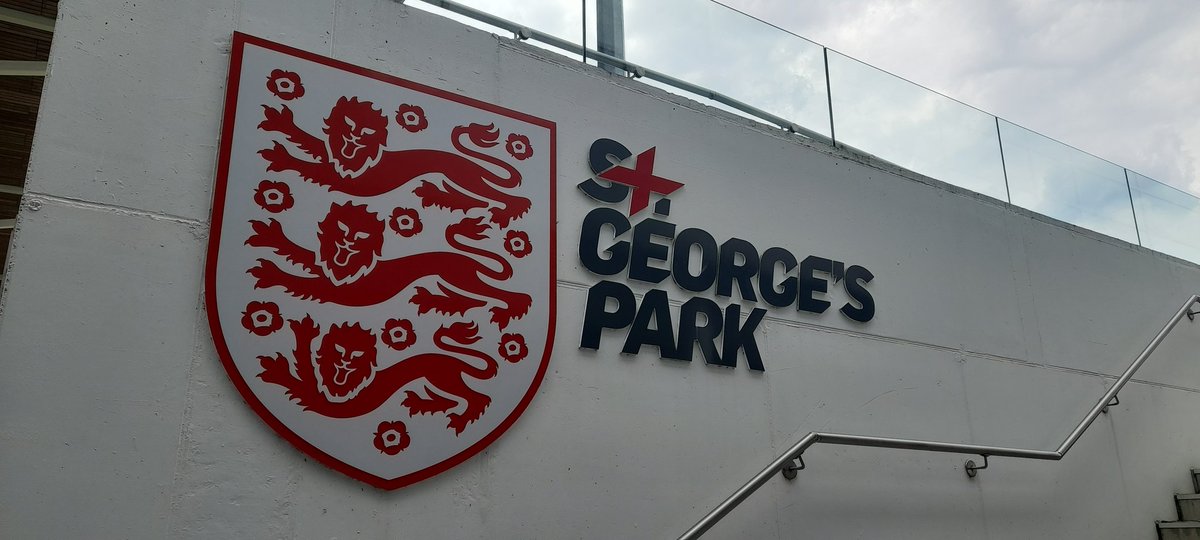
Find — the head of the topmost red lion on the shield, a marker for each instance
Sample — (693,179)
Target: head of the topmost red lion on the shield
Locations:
(356,134)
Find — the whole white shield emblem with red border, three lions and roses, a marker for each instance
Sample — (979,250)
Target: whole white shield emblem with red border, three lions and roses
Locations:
(381,273)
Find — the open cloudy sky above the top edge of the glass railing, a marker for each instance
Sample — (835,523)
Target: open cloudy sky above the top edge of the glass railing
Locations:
(1120,80)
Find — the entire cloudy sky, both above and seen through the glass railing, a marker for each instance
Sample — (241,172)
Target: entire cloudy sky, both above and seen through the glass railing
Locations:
(1119,80)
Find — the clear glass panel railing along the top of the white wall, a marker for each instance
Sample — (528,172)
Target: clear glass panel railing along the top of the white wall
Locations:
(833,97)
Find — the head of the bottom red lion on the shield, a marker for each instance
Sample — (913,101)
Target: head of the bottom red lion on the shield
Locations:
(345,362)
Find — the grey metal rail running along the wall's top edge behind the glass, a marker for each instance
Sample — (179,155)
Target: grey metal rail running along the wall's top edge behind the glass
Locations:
(525,33)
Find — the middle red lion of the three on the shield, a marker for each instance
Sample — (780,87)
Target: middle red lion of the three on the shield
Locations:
(347,271)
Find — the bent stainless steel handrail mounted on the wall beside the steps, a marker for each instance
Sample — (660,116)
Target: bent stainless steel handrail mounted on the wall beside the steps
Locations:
(784,463)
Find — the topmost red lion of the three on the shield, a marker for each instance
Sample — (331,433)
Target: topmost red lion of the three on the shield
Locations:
(352,160)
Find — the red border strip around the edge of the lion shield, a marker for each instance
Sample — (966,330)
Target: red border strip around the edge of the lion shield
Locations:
(239,43)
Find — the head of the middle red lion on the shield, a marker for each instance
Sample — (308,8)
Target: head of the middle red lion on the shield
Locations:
(351,239)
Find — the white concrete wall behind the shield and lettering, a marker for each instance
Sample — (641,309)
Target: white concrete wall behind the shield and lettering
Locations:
(994,327)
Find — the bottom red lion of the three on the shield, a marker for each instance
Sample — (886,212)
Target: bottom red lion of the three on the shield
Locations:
(344,381)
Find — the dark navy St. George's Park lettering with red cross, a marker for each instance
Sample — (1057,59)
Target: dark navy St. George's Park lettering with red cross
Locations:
(693,259)
